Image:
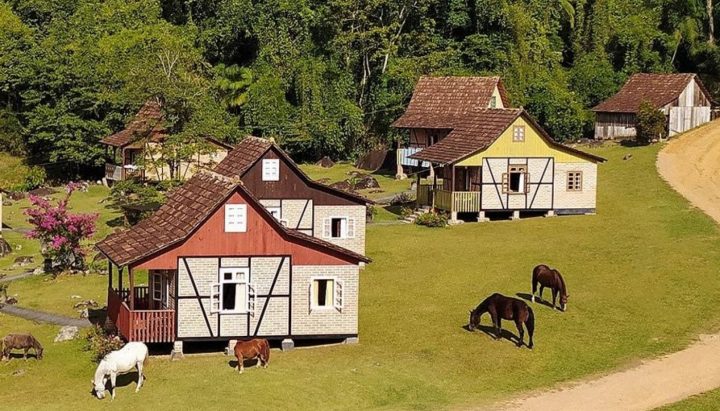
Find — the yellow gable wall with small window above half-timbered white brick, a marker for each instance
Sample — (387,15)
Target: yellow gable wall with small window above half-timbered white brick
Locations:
(533,146)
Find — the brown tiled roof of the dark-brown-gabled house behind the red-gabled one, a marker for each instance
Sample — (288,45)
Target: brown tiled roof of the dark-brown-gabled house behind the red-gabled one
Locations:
(251,149)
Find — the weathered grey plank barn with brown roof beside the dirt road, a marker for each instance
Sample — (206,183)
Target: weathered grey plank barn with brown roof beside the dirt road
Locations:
(683,99)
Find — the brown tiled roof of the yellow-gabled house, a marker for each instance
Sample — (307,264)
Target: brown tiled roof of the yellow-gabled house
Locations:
(476,131)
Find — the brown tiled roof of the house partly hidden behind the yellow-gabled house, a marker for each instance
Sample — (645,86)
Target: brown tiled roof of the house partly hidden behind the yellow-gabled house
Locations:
(437,101)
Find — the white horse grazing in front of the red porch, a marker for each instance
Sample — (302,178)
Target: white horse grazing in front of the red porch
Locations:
(132,355)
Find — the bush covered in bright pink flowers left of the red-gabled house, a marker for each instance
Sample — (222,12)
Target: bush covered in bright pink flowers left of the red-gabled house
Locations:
(60,232)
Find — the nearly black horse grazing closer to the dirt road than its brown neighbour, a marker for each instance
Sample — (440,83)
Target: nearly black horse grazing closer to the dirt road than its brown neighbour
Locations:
(505,308)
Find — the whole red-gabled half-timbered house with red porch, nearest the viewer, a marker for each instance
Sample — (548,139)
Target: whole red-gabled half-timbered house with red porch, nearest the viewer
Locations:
(221,266)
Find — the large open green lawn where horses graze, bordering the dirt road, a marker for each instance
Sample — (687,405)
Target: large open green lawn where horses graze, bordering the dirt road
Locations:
(637,272)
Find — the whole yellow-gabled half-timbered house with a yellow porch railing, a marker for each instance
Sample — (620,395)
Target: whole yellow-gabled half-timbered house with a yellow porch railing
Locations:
(502,161)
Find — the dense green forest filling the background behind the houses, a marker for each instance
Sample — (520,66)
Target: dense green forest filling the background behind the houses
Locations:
(324,77)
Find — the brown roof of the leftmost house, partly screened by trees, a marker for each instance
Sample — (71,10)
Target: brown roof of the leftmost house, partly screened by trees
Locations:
(148,122)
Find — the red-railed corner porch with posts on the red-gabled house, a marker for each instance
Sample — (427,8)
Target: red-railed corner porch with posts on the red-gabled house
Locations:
(136,315)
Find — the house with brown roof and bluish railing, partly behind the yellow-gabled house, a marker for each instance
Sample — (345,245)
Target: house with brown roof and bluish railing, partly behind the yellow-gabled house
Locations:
(438,98)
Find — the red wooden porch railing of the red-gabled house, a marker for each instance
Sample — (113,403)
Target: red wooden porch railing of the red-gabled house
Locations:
(140,324)
